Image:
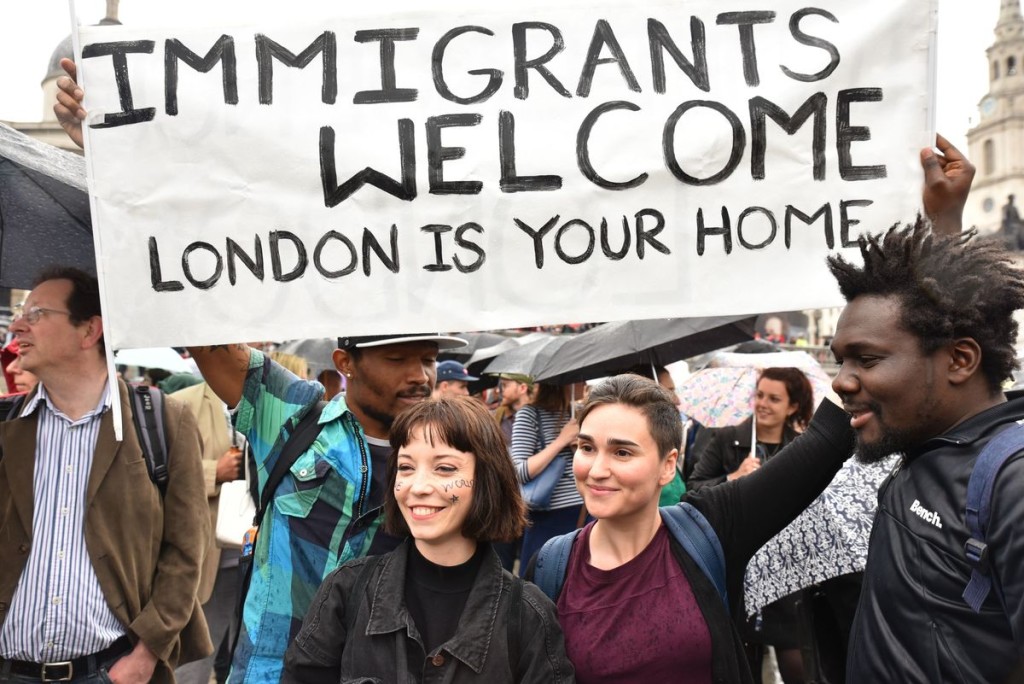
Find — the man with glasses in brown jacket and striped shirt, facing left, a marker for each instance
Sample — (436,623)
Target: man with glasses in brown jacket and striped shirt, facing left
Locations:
(100,568)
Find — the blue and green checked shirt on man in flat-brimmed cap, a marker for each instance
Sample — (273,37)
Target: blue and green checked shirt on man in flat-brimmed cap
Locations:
(319,519)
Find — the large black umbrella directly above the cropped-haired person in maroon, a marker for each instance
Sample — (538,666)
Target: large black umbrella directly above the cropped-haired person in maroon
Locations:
(616,347)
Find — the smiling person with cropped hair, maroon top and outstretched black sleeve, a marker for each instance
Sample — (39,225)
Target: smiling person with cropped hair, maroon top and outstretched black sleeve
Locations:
(630,589)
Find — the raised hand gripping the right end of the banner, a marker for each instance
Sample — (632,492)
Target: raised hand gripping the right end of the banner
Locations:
(948,181)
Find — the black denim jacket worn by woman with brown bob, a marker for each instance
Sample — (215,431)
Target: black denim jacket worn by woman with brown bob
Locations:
(387,648)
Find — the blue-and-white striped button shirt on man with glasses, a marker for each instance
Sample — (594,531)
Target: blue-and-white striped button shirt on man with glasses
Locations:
(59,612)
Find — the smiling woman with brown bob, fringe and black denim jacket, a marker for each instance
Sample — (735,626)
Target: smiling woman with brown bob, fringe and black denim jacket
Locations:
(440,607)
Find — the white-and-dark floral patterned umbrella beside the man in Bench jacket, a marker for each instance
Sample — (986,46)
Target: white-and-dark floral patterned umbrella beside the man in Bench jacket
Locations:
(828,540)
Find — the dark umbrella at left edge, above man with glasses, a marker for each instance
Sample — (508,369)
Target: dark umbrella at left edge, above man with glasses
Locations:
(45,210)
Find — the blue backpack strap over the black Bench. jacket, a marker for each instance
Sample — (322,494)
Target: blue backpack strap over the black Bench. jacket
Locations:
(979,504)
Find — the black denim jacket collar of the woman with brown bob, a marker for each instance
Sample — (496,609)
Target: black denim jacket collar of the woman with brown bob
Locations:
(477,626)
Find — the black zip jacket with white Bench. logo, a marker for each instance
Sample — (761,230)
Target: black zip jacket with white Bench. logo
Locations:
(913,624)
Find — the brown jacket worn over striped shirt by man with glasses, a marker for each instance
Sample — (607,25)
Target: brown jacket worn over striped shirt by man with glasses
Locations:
(147,549)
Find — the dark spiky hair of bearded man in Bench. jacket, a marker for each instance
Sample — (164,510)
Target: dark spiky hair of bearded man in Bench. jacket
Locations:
(950,287)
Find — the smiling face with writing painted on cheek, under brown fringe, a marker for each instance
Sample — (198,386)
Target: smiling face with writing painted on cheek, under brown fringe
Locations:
(434,487)
